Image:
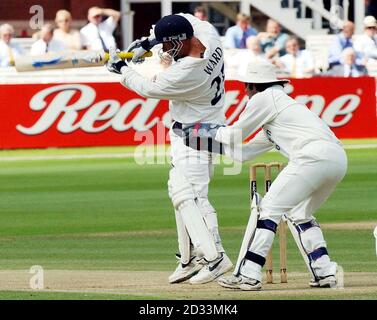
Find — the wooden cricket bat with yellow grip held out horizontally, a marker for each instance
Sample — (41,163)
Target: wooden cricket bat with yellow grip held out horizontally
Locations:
(67,59)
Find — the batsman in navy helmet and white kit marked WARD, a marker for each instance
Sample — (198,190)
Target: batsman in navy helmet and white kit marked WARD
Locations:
(194,84)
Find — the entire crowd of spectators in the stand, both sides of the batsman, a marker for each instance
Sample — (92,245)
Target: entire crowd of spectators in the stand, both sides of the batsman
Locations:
(347,58)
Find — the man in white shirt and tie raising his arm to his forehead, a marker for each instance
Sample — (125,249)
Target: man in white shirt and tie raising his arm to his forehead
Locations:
(98,34)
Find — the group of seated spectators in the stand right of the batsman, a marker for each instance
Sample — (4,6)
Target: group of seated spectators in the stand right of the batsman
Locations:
(346,58)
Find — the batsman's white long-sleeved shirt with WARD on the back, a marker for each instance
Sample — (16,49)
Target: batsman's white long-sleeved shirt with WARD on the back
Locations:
(194,86)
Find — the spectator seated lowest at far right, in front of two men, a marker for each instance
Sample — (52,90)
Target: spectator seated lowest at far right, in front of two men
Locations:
(349,68)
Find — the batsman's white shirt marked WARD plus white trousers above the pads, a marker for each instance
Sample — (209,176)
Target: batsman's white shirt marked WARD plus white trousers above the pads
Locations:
(195,88)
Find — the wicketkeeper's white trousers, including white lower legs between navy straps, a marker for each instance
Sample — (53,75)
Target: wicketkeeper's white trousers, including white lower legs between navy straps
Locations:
(298,191)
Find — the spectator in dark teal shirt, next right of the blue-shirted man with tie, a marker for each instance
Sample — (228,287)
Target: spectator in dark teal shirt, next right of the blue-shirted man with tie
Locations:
(273,40)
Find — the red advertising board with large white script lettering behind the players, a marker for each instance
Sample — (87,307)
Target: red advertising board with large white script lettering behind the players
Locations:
(107,114)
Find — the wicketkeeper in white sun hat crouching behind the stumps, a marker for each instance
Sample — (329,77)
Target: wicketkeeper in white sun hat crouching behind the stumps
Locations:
(317,163)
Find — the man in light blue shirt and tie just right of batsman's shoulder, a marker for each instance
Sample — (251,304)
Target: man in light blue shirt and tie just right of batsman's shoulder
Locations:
(235,37)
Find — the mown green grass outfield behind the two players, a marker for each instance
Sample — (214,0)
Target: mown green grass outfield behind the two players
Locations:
(109,213)
